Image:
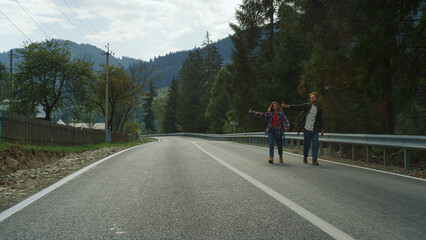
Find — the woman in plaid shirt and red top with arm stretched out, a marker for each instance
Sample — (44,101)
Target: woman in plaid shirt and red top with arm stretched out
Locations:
(277,124)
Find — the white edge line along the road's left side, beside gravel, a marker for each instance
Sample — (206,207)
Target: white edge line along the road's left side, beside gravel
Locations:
(18,207)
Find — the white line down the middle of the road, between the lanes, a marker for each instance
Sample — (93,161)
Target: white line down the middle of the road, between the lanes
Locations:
(315,220)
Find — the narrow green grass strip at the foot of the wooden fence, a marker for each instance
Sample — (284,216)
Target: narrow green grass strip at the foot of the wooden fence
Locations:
(76,148)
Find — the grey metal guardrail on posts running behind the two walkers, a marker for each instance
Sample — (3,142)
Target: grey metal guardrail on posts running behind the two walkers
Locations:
(406,142)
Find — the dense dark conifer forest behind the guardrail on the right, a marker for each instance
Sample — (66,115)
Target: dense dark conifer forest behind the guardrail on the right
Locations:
(366,59)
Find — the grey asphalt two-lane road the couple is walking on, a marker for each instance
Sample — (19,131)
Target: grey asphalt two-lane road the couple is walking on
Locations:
(190,188)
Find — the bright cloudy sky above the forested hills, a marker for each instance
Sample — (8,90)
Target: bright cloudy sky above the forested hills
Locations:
(135,28)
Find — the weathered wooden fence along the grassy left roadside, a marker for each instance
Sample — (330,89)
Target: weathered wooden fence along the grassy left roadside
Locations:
(15,128)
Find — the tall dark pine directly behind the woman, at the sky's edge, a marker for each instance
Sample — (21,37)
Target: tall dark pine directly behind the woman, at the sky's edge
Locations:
(252,69)
